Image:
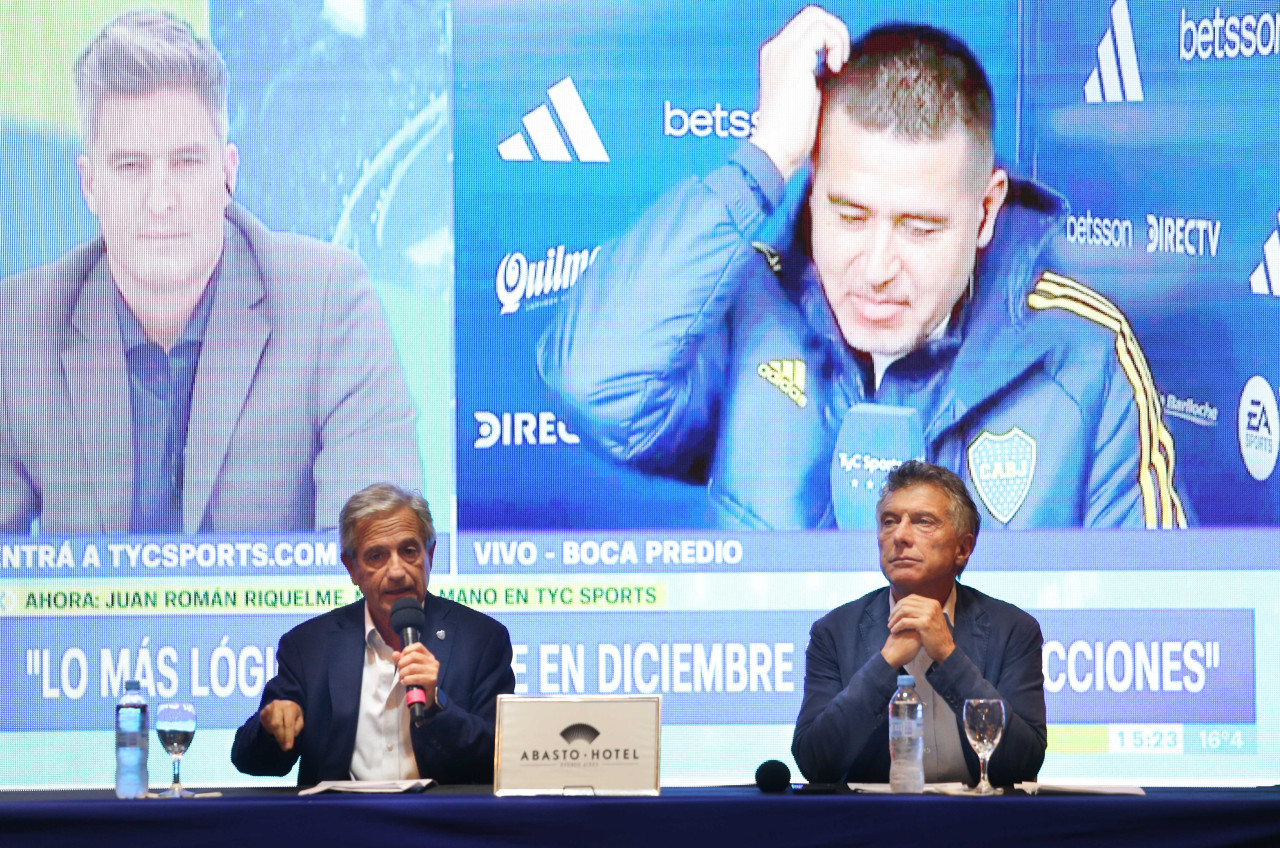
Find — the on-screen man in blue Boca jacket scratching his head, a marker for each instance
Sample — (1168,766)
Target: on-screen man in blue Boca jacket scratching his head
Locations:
(912,276)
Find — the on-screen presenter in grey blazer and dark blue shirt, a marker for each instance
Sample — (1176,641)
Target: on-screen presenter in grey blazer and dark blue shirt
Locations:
(189,371)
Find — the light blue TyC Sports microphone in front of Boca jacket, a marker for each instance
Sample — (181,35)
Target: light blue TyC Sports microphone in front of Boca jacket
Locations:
(874,441)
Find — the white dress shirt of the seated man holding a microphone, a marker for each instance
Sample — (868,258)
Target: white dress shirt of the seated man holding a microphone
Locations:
(385,750)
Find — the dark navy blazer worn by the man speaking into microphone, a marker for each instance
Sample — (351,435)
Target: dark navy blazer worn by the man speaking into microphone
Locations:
(321,668)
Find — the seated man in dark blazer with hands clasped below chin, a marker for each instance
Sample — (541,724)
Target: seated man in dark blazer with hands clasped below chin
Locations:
(958,644)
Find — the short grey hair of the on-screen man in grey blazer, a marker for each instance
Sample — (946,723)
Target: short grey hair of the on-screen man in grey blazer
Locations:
(141,52)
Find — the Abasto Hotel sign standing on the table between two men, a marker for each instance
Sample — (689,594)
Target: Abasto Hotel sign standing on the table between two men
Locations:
(584,745)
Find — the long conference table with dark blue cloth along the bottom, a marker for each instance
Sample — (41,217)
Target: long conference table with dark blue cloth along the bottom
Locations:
(470,817)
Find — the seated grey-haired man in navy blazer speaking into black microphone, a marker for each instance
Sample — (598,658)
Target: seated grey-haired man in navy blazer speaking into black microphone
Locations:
(339,700)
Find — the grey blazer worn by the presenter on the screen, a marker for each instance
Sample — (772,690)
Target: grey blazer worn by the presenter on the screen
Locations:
(299,403)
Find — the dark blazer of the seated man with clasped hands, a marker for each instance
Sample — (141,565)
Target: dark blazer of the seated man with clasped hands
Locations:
(843,731)
